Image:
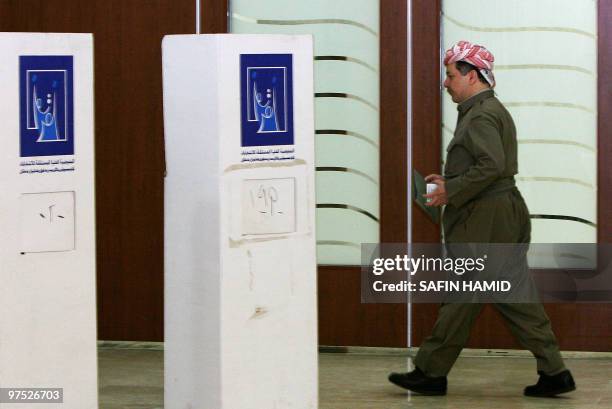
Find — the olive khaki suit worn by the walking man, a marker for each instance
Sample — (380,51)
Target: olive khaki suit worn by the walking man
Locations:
(484,206)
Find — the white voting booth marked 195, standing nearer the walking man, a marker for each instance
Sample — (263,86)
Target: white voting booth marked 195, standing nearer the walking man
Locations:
(240,267)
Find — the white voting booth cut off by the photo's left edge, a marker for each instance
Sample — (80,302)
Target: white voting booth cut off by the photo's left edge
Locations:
(47,224)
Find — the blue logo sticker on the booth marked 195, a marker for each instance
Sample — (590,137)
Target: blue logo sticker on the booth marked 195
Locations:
(266,82)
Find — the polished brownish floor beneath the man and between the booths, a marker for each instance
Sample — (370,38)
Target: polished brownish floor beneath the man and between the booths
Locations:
(132,378)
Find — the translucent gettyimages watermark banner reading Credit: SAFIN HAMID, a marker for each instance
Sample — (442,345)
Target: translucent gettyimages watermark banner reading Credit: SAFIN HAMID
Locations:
(486,272)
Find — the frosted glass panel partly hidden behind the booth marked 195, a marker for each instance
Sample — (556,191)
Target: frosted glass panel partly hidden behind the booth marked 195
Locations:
(347,111)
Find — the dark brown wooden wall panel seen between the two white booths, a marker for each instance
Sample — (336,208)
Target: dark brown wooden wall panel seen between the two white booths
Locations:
(129,145)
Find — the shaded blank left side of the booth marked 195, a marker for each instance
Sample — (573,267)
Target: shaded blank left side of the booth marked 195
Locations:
(192,252)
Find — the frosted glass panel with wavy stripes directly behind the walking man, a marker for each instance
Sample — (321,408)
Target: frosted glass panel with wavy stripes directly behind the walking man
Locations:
(546,73)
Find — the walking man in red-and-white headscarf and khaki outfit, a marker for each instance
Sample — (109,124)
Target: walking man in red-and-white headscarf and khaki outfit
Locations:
(483,205)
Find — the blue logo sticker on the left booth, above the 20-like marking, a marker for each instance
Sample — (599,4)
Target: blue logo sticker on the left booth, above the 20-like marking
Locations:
(46,104)
